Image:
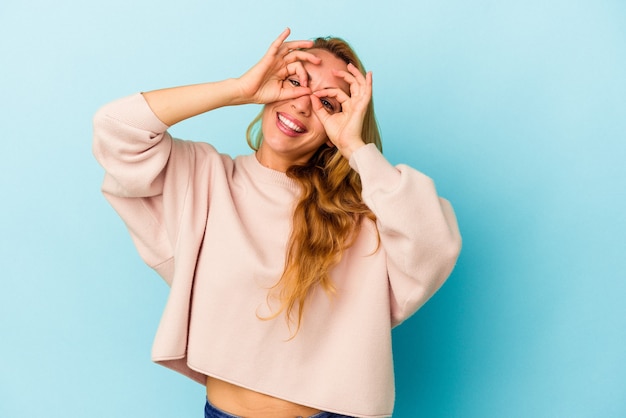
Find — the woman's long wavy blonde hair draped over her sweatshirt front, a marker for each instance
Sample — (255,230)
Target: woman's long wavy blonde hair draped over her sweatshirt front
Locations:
(329,212)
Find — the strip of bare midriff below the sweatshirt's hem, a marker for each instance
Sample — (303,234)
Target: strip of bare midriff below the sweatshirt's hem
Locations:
(247,403)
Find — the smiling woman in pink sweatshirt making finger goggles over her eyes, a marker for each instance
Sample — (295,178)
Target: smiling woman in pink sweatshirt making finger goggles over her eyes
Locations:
(288,267)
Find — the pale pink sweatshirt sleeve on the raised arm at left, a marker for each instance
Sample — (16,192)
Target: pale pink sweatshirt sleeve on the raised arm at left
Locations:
(149,178)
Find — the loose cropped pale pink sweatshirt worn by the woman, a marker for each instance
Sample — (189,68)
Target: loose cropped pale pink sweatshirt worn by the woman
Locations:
(215,228)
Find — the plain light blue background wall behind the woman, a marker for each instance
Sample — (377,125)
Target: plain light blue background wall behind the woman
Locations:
(516,108)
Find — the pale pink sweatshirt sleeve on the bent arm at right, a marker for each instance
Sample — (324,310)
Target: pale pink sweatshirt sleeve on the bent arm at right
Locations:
(418,229)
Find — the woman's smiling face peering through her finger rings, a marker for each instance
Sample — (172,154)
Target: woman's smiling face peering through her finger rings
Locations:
(291,131)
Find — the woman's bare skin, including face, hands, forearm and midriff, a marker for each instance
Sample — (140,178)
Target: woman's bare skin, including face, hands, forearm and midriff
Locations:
(311,98)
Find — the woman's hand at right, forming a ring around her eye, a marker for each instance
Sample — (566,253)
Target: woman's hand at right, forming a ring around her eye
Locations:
(344,128)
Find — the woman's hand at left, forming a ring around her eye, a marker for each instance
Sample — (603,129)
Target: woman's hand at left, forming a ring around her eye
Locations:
(264,83)
